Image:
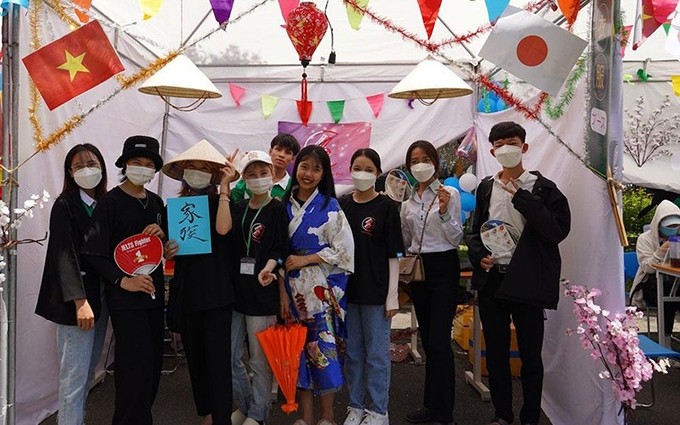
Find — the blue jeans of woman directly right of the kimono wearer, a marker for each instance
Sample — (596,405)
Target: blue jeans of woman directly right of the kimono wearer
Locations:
(367,362)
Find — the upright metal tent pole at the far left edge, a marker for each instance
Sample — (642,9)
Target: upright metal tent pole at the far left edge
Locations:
(10,104)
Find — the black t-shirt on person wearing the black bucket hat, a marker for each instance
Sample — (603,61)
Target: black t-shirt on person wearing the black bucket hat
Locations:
(118,216)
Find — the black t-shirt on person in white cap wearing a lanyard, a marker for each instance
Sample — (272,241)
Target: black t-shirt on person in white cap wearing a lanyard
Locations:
(268,240)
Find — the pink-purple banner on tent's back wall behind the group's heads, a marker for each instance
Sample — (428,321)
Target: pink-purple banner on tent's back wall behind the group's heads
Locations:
(339,140)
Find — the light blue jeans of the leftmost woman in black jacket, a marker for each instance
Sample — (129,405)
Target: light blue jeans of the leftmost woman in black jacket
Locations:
(79,352)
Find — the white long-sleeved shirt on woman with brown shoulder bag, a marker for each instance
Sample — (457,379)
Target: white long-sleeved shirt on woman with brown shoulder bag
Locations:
(442,232)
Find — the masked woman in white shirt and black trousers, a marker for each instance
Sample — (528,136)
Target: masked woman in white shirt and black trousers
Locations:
(431,225)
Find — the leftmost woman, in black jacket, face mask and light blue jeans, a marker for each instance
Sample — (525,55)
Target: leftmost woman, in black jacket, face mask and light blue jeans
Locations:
(71,290)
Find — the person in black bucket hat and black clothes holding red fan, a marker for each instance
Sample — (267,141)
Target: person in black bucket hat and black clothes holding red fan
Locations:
(136,312)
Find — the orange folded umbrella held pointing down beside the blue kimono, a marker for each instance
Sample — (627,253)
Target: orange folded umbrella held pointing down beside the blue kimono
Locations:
(283,344)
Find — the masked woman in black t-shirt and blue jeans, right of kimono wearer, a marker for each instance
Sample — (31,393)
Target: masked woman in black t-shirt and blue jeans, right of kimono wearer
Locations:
(371,292)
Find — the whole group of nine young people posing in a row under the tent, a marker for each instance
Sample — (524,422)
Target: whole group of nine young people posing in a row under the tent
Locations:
(284,247)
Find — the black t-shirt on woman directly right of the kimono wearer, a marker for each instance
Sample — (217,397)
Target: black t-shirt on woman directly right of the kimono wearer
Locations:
(377,237)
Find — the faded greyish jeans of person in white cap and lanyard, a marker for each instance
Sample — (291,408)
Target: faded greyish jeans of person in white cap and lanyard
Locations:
(252,399)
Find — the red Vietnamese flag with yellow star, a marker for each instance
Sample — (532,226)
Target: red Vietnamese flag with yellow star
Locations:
(73,64)
